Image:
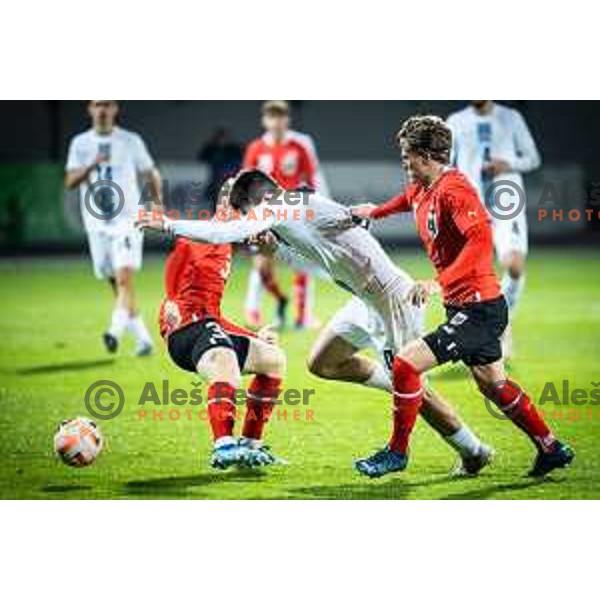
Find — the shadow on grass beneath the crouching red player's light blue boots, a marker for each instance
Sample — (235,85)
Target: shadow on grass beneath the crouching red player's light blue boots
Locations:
(175,486)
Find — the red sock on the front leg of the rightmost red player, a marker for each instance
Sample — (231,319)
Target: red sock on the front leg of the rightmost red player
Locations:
(408,397)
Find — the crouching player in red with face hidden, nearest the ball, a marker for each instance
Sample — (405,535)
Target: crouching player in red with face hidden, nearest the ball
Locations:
(200,339)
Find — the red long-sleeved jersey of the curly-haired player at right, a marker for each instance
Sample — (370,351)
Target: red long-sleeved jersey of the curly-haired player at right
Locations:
(456,231)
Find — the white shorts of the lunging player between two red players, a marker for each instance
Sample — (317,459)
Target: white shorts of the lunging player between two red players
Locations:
(362,327)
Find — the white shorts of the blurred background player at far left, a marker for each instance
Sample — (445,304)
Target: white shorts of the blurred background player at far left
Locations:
(116,250)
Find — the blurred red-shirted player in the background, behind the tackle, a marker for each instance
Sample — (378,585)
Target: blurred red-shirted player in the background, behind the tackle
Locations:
(291,158)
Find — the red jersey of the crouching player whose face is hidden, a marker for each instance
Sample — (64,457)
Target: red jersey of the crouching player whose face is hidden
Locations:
(195,279)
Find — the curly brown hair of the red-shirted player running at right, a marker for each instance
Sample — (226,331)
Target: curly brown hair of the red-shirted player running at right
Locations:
(428,136)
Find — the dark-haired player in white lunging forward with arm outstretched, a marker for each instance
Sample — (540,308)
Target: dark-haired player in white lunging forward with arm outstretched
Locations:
(324,232)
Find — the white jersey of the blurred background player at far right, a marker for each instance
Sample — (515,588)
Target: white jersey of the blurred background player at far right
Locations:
(503,134)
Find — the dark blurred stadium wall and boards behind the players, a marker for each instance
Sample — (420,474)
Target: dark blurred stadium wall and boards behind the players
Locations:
(355,141)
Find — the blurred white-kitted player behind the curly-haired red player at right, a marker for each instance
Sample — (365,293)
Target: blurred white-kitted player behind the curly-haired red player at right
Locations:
(492,143)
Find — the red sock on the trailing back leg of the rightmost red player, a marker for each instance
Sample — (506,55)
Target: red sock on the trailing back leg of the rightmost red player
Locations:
(517,406)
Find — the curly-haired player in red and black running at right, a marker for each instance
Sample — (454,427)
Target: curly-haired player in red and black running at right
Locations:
(456,232)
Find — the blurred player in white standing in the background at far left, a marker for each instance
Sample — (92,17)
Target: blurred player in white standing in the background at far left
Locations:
(105,162)
